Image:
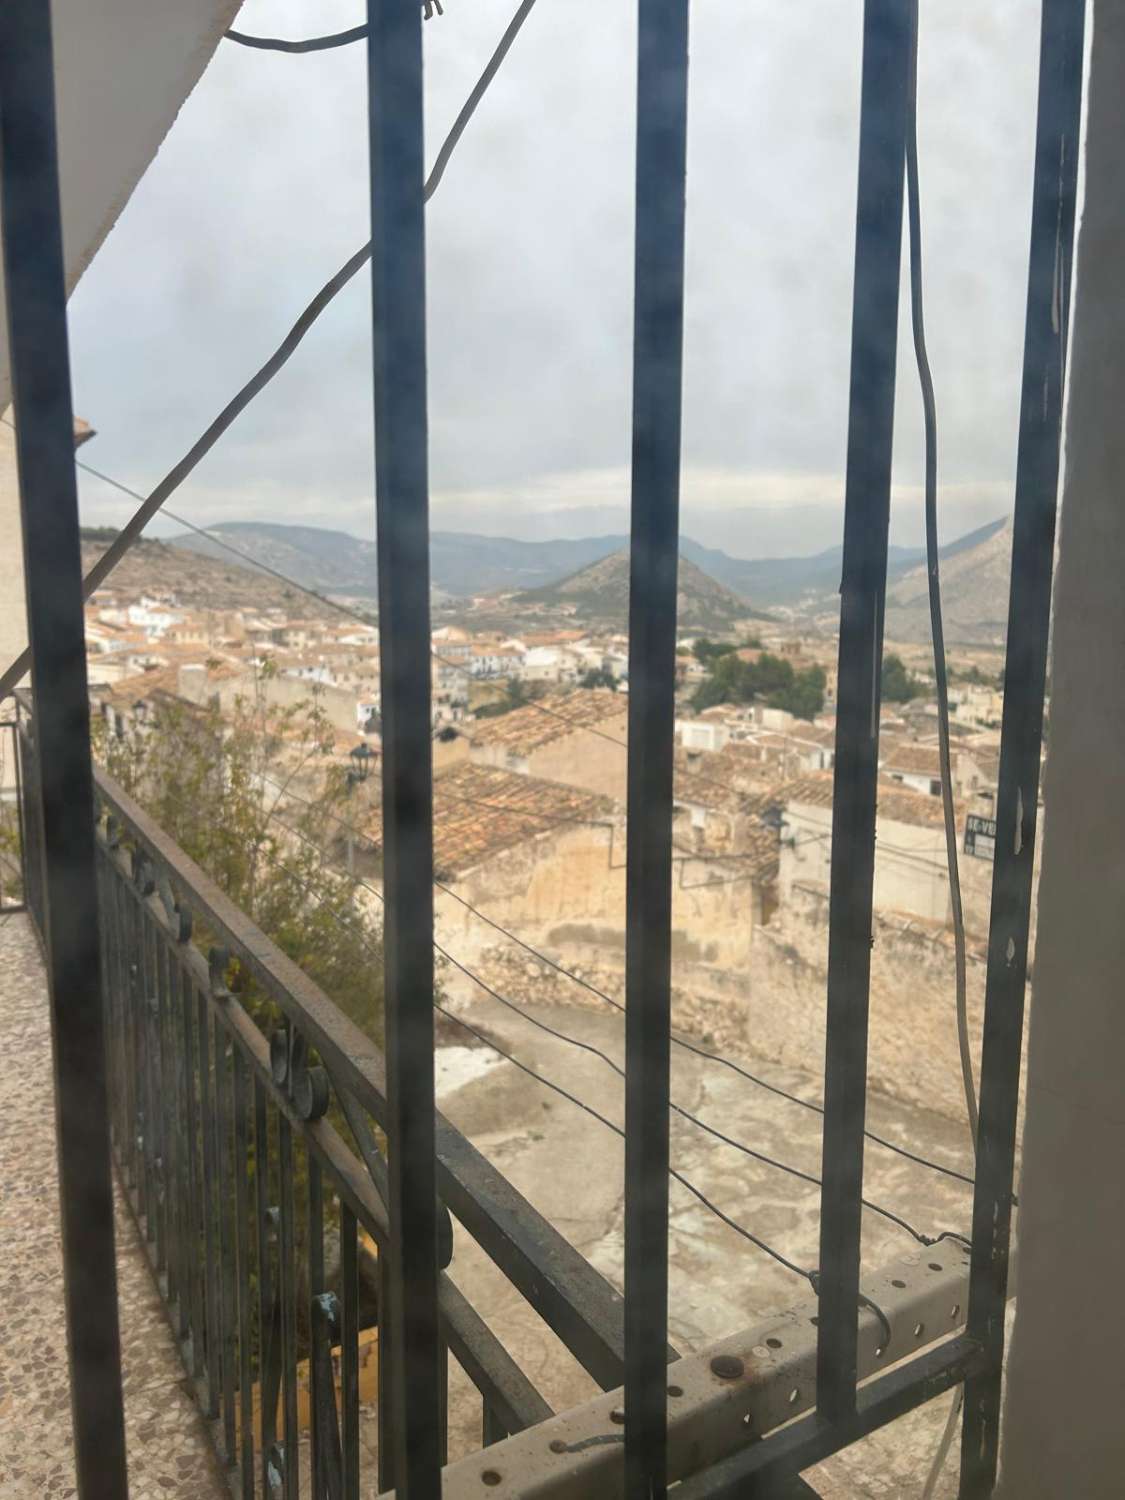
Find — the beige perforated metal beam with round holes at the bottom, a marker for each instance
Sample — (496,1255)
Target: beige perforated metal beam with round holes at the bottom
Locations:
(725,1400)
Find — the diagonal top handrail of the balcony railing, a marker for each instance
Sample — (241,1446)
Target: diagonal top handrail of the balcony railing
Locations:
(559,1283)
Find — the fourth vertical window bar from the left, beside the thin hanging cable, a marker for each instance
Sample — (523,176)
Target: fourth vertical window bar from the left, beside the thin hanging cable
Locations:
(863,593)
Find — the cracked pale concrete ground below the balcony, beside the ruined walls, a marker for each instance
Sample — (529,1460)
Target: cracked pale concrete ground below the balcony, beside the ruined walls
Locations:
(571,1168)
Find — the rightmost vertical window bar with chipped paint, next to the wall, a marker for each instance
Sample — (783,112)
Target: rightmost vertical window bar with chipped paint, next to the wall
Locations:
(1037,482)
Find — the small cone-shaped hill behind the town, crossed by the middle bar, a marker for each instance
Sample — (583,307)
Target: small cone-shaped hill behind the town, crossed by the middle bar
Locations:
(598,595)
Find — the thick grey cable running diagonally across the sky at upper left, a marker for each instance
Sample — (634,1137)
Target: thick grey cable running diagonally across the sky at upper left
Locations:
(257,383)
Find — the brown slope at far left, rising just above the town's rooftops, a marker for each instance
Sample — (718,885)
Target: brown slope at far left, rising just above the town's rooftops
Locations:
(200,583)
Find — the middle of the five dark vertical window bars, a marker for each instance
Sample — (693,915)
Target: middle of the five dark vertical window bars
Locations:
(655,553)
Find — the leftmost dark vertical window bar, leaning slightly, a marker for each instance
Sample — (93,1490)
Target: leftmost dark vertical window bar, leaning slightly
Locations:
(35,295)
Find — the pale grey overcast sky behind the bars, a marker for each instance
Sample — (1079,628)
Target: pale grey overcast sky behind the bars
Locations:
(260,194)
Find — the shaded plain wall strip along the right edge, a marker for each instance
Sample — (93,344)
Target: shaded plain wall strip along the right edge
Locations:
(1063,1427)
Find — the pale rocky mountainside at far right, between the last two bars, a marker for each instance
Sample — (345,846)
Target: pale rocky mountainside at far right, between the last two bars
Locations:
(976,577)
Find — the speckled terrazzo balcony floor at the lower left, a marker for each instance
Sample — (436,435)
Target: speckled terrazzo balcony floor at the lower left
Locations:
(170,1453)
